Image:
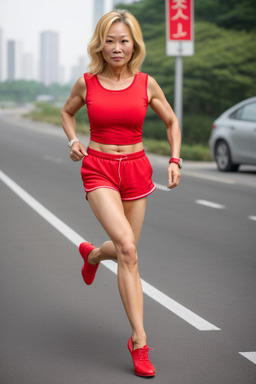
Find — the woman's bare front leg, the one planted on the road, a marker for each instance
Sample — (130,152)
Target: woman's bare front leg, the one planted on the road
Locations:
(108,208)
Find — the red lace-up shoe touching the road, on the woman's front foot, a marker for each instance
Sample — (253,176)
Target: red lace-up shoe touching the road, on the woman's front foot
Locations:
(142,365)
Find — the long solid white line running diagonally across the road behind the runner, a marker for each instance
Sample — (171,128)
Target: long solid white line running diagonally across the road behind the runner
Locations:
(172,305)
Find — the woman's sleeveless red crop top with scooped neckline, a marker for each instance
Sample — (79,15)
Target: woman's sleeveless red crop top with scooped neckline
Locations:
(116,116)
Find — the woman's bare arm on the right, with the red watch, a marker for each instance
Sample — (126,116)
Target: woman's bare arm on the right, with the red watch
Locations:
(160,105)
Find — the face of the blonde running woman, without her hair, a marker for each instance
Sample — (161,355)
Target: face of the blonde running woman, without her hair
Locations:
(119,45)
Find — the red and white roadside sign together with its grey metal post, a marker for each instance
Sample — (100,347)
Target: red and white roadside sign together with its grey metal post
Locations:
(179,42)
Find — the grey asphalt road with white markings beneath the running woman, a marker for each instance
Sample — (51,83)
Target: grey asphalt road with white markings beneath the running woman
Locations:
(197,258)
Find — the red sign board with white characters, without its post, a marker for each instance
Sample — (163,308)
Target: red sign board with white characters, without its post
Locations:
(179,27)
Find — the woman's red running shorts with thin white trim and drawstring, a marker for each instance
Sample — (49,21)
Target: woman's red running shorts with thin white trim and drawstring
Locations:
(128,174)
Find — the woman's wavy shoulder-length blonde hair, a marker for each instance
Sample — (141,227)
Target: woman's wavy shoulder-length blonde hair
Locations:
(98,40)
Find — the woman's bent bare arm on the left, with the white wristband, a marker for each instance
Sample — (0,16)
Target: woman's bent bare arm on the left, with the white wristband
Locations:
(75,101)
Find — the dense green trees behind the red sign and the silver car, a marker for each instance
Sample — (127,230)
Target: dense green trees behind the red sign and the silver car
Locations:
(218,75)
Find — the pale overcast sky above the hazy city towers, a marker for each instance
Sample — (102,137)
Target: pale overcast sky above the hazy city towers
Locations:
(24,20)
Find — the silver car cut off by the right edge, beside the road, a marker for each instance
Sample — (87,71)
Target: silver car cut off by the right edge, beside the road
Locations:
(233,137)
